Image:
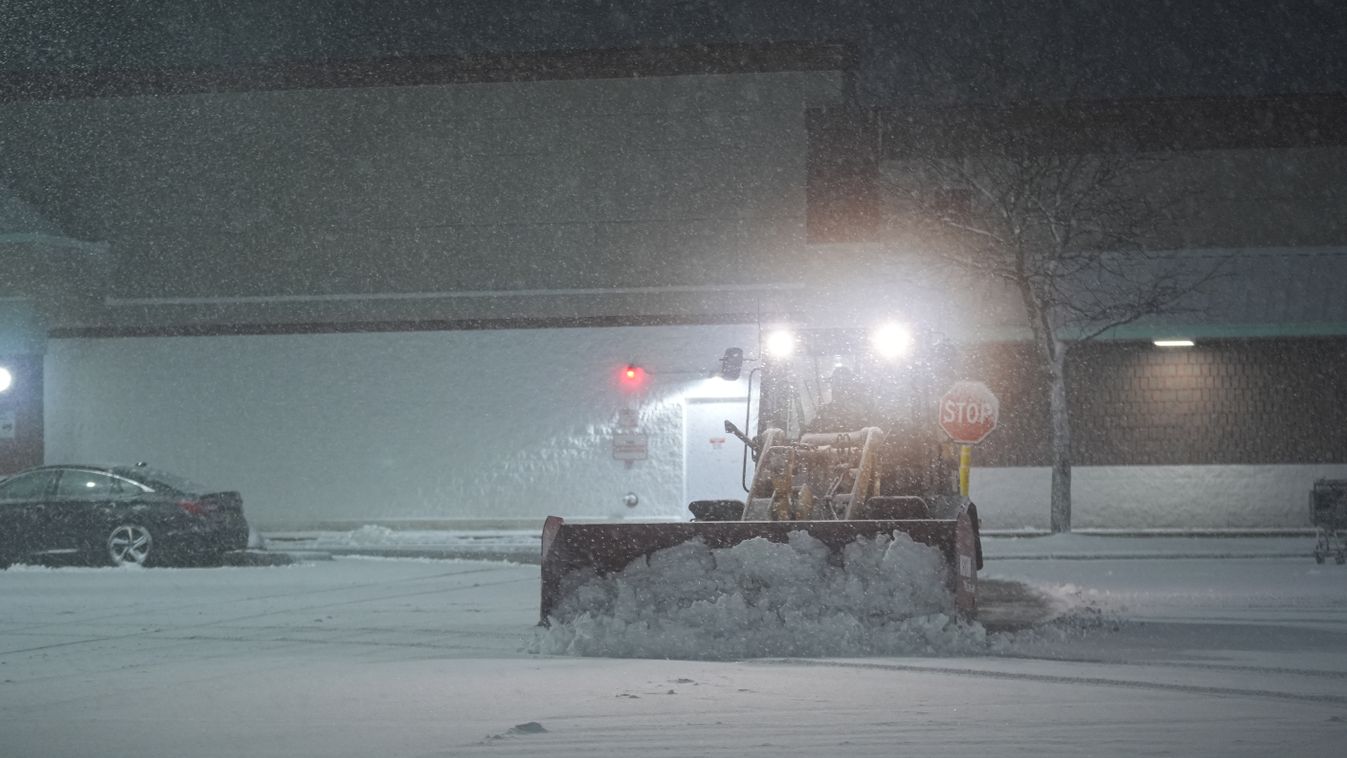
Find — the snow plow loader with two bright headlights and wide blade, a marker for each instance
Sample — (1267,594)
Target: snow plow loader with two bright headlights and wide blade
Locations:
(848,448)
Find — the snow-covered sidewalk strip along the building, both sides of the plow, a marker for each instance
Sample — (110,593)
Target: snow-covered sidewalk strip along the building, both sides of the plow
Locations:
(526,546)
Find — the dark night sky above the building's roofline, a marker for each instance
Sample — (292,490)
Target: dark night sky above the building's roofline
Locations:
(935,50)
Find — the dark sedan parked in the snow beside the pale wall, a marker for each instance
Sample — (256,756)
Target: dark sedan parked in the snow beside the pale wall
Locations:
(115,516)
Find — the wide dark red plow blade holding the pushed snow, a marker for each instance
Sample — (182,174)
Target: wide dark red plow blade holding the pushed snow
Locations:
(604,549)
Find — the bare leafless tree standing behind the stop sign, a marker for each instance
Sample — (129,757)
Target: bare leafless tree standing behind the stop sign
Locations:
(1070,234)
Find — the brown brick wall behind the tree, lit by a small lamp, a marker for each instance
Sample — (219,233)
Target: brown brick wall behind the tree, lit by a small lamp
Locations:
(1257,402)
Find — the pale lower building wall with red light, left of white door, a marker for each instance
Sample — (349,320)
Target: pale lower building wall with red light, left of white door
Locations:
(502,426)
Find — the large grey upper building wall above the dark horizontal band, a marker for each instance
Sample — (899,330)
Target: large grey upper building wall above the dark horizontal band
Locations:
(492,188)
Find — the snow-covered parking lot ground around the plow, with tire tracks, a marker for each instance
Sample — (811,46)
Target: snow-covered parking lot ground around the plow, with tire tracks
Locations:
(1236,656)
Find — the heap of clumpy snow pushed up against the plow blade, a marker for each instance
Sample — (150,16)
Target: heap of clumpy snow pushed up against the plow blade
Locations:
(760,598)
